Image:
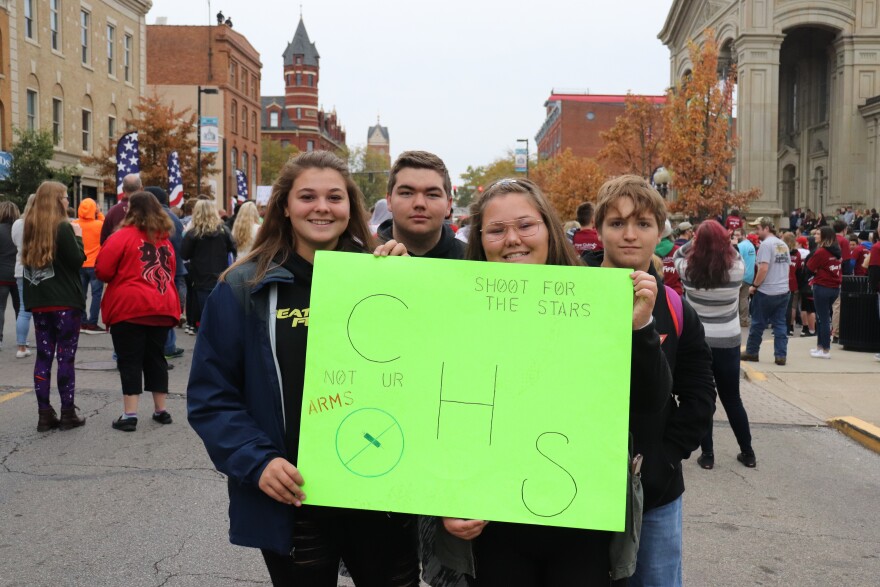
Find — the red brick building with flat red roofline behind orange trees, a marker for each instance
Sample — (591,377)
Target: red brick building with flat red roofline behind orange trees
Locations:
(575,121)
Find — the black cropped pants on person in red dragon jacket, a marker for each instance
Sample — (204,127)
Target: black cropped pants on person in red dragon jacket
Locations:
(140,357)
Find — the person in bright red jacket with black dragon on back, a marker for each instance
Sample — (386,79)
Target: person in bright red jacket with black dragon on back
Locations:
(137,262)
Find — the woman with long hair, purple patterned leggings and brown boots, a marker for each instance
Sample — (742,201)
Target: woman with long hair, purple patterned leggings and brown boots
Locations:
(52,254)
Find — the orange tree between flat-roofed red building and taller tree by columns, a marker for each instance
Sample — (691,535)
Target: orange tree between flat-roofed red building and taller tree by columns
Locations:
(633,144)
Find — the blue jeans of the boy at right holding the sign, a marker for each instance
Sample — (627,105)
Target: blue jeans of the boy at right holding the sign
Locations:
(659,561)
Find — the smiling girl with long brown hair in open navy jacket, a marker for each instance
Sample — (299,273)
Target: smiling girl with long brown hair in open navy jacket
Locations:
(245,389)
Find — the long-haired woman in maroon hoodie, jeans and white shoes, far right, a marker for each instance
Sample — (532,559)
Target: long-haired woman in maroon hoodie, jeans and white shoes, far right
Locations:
(825,263)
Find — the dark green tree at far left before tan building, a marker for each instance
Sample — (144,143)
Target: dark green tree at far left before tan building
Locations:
(30,165)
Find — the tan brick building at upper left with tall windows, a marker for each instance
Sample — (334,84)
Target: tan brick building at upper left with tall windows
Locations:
(74,69)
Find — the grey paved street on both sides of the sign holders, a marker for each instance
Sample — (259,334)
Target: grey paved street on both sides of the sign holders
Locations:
(97,507)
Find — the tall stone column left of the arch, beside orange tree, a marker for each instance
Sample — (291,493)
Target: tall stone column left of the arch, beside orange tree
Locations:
(758,119)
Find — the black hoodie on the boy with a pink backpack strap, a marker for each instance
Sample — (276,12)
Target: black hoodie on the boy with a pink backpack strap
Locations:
(665,441)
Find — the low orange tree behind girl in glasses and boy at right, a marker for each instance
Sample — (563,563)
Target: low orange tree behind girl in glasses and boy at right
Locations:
(567,181)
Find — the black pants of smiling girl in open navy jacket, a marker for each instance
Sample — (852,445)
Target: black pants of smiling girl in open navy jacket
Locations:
(379,549)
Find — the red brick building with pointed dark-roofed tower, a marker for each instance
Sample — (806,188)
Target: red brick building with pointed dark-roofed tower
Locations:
(296,118)
